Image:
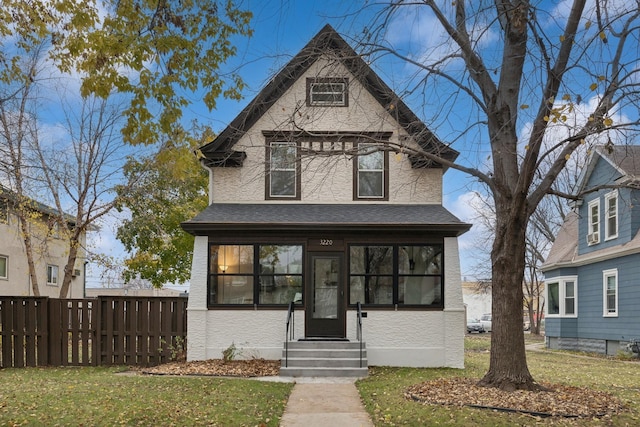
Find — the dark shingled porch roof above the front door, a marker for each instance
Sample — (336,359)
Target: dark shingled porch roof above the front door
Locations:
(345,217)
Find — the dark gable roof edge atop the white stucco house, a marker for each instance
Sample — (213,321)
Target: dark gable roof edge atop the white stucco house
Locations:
(218,152)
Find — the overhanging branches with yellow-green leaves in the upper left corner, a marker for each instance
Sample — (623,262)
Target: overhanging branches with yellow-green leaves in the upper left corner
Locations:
(157,52)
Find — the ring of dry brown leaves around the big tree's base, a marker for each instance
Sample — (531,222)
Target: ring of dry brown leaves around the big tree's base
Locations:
(561,400)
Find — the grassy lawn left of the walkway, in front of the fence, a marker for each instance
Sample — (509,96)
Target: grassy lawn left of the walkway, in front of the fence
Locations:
(97,396)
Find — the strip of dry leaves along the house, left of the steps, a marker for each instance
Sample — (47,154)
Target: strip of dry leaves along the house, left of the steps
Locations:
(219,367)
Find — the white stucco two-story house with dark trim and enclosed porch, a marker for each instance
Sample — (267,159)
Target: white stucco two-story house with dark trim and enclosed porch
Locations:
(311,202)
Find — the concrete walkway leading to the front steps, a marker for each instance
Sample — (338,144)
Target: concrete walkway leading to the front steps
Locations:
(323,402)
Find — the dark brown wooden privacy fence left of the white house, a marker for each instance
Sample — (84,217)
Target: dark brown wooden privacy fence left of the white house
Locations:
(90,332)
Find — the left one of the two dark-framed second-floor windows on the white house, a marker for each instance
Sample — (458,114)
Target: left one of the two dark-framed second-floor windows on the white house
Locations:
(283,171)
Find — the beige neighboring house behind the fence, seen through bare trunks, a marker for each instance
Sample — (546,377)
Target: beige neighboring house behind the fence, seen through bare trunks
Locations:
(50,249)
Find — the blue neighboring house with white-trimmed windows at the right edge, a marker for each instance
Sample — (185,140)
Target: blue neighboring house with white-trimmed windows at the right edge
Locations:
(593,269)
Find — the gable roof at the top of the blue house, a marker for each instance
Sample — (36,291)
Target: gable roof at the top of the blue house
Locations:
(623,158)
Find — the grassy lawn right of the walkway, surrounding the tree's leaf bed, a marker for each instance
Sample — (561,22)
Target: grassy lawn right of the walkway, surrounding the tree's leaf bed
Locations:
(382,392)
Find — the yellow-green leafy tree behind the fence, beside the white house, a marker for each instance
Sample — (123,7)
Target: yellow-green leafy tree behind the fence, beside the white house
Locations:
(164,189)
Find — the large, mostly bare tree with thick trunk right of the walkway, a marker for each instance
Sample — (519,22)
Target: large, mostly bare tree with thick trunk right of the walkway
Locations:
(501,78)
